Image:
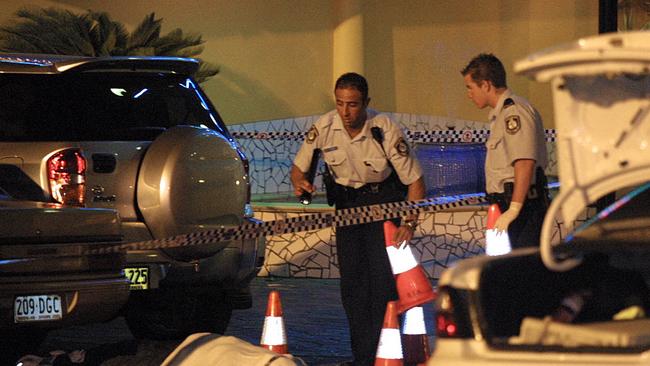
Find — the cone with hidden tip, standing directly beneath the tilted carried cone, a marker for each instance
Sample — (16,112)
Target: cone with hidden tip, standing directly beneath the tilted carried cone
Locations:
(414,337)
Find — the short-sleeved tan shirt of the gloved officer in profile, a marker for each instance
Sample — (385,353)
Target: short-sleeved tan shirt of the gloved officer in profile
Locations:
(516,132)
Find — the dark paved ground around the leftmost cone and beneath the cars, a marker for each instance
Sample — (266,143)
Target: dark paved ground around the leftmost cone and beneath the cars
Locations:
(313,315)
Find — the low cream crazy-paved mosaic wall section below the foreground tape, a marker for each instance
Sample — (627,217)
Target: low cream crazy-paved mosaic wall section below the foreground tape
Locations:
(441,239)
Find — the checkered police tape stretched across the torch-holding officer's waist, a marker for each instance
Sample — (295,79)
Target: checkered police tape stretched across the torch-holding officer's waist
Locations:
(342,217)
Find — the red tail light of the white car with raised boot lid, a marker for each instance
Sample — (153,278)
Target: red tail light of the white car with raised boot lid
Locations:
(451,321)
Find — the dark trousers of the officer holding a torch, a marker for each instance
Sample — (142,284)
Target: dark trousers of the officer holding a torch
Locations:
(367,281)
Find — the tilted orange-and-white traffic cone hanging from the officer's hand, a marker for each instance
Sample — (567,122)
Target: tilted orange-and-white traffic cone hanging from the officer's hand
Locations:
(413,286)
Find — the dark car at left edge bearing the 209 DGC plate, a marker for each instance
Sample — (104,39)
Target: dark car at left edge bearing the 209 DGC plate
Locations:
(46,278)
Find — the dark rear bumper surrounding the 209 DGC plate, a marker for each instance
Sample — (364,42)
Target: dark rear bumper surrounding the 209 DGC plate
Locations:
(84,298)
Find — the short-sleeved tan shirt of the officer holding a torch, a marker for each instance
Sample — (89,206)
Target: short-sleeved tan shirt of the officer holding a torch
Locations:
(359,160)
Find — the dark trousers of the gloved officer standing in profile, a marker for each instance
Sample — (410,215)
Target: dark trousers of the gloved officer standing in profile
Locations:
(526,229)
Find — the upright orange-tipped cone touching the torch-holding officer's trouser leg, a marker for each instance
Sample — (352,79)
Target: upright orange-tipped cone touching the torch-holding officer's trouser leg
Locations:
(389,349)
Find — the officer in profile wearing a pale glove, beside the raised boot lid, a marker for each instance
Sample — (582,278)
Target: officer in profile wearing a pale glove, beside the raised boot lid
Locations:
(516,151)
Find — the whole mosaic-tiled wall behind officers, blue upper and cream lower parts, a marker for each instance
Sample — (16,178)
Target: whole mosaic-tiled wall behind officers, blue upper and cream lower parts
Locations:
(441,239)
